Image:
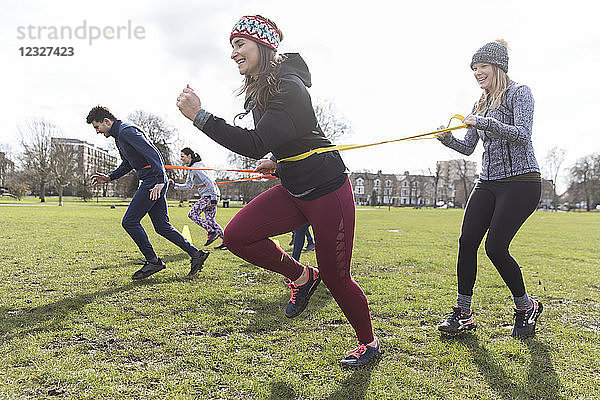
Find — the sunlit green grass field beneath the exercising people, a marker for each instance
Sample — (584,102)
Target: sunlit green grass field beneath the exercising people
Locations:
(74,325)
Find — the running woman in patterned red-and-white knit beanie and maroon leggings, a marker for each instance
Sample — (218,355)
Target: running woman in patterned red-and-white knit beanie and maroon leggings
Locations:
(314,189)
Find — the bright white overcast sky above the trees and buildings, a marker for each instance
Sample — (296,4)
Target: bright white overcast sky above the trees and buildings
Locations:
(391,68)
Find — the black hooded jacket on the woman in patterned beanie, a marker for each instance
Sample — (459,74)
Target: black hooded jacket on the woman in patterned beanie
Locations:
(287,127)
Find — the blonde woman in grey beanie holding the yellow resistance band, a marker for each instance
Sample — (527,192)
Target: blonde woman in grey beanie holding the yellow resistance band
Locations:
(507,192)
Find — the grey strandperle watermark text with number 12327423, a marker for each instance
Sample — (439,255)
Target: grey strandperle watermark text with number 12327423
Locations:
(85,32)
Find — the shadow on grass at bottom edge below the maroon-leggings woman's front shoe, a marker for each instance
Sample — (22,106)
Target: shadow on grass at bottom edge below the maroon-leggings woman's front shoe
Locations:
(352,388)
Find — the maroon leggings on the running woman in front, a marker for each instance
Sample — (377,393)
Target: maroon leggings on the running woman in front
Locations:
(331,216)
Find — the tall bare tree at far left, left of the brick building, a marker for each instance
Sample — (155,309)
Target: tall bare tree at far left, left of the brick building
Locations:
(35,137)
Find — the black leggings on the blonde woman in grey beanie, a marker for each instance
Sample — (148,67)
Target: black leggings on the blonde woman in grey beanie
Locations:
(500,208)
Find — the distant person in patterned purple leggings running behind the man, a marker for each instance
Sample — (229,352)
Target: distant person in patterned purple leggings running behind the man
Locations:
(209,196)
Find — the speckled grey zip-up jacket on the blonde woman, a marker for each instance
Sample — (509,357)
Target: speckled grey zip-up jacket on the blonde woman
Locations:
(506,136)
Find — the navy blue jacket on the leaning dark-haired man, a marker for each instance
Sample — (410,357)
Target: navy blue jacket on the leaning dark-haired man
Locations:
(137,152)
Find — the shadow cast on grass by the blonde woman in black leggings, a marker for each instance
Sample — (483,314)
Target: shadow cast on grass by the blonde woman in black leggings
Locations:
(542,380)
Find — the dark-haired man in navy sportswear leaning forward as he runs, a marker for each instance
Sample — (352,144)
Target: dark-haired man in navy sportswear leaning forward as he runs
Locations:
(138,153)
